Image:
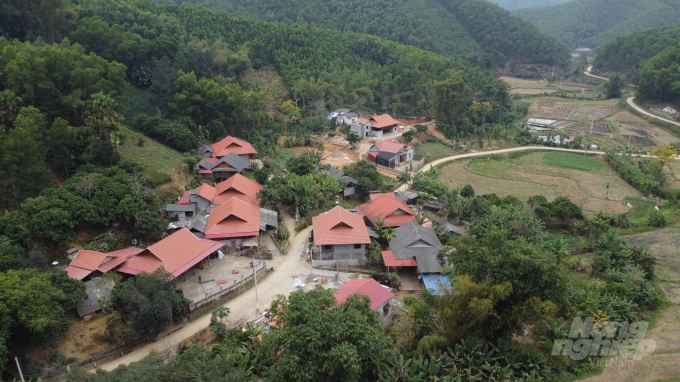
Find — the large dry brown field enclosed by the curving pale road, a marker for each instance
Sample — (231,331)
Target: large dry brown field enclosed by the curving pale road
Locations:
(528,175)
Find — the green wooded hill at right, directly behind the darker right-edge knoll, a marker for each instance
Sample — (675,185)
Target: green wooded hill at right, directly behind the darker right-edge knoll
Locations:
(626,54)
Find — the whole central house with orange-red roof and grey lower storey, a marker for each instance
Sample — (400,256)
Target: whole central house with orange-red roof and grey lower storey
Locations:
(340,235)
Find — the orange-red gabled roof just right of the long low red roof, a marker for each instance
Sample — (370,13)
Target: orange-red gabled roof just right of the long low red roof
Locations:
(235,218)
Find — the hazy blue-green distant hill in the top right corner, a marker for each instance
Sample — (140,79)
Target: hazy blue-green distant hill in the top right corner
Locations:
(595,22)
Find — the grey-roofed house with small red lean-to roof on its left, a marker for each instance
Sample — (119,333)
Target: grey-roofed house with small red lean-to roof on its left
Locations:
(414,245)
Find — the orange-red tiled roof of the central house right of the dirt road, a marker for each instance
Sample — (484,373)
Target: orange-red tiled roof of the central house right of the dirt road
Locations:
(339,226)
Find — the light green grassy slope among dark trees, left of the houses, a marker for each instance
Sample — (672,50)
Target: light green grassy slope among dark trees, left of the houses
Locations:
(164,165)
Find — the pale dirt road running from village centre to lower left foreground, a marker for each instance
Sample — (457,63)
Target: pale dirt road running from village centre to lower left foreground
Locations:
(278,282)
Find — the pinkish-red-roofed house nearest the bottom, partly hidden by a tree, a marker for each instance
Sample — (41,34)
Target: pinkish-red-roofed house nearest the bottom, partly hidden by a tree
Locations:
(381,298)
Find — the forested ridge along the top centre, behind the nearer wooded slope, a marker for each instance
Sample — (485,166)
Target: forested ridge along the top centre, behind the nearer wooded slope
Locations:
(474,30)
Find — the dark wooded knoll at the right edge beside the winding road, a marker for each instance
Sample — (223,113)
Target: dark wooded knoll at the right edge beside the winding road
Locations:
(659,77)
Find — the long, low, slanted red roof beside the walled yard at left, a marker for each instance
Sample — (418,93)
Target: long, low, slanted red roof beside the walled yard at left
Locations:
(176,253)
